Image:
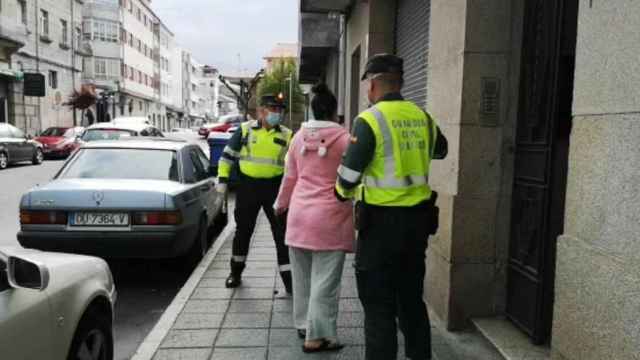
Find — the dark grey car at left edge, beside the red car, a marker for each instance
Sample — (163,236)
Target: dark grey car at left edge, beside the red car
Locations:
(16,147)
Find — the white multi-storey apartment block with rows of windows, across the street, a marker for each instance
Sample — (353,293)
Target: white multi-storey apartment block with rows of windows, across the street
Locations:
(132,67)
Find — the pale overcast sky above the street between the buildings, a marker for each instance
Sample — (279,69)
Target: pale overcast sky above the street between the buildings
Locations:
(216,31)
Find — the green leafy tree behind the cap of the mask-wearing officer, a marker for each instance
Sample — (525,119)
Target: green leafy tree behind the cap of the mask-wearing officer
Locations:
(276,82)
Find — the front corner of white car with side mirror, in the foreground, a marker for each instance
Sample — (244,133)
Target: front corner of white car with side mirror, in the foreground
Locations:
(55,306)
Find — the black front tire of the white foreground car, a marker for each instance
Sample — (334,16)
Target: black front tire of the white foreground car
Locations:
(93,338)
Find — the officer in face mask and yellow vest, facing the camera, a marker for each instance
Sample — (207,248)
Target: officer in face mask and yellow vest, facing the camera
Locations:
(260,148)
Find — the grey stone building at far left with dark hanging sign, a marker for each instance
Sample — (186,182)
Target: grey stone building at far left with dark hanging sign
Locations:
(39,37)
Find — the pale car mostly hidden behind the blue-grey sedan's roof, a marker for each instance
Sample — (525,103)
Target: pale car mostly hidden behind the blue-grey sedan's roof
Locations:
(119,130)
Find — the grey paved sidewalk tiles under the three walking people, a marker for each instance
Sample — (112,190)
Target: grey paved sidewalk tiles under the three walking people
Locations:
(249,323)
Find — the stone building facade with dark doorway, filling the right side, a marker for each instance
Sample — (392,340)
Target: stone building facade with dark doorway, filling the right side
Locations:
(539,211)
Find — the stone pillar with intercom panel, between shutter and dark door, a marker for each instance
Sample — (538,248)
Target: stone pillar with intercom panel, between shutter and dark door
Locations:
(472,41)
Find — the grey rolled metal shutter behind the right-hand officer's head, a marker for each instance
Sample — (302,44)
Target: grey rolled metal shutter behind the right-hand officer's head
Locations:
(412,44)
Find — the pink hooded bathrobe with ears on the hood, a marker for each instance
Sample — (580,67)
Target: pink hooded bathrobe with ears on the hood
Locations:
(316,220)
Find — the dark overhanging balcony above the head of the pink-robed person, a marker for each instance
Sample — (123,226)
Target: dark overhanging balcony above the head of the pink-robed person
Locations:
(320,38)
